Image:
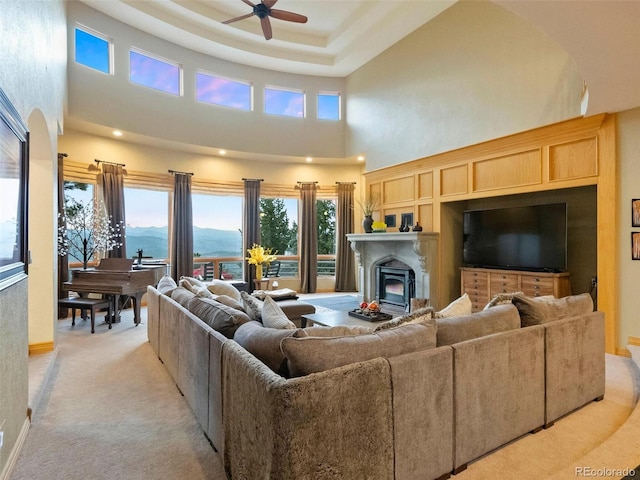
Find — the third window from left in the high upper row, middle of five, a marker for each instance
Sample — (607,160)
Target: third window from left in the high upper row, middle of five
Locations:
(223,92)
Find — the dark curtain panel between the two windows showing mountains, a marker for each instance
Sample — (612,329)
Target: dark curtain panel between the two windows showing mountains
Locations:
(182,230)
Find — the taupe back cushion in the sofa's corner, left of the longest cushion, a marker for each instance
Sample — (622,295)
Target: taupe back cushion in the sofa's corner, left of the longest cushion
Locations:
(264,343)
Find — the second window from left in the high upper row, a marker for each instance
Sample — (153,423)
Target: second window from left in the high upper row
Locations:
(155,72)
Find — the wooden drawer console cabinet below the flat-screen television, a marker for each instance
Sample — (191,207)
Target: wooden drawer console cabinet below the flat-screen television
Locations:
(482,284)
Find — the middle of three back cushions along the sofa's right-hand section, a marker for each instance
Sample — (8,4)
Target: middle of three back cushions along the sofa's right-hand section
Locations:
(486,322)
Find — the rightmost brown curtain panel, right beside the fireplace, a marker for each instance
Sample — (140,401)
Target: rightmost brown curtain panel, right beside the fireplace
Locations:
(345,262)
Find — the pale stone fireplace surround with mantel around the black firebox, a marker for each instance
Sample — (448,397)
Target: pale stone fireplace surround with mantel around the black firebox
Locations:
(419,250)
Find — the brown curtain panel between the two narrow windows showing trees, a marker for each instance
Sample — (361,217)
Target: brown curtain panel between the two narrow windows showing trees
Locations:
(308,239)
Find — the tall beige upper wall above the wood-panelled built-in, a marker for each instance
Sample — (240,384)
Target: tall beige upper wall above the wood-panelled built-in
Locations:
(474,73)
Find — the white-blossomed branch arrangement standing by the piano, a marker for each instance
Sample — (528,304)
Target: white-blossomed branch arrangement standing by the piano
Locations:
(85,229)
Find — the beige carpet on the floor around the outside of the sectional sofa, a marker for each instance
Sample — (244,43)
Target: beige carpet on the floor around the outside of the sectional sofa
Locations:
(111,411)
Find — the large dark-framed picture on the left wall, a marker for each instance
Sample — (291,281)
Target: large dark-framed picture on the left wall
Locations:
(14,154)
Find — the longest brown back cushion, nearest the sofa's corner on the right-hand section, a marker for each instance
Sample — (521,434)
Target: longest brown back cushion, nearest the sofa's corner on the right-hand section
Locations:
(315,354)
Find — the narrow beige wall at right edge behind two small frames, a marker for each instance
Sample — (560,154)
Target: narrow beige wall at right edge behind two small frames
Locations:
(629,272)
